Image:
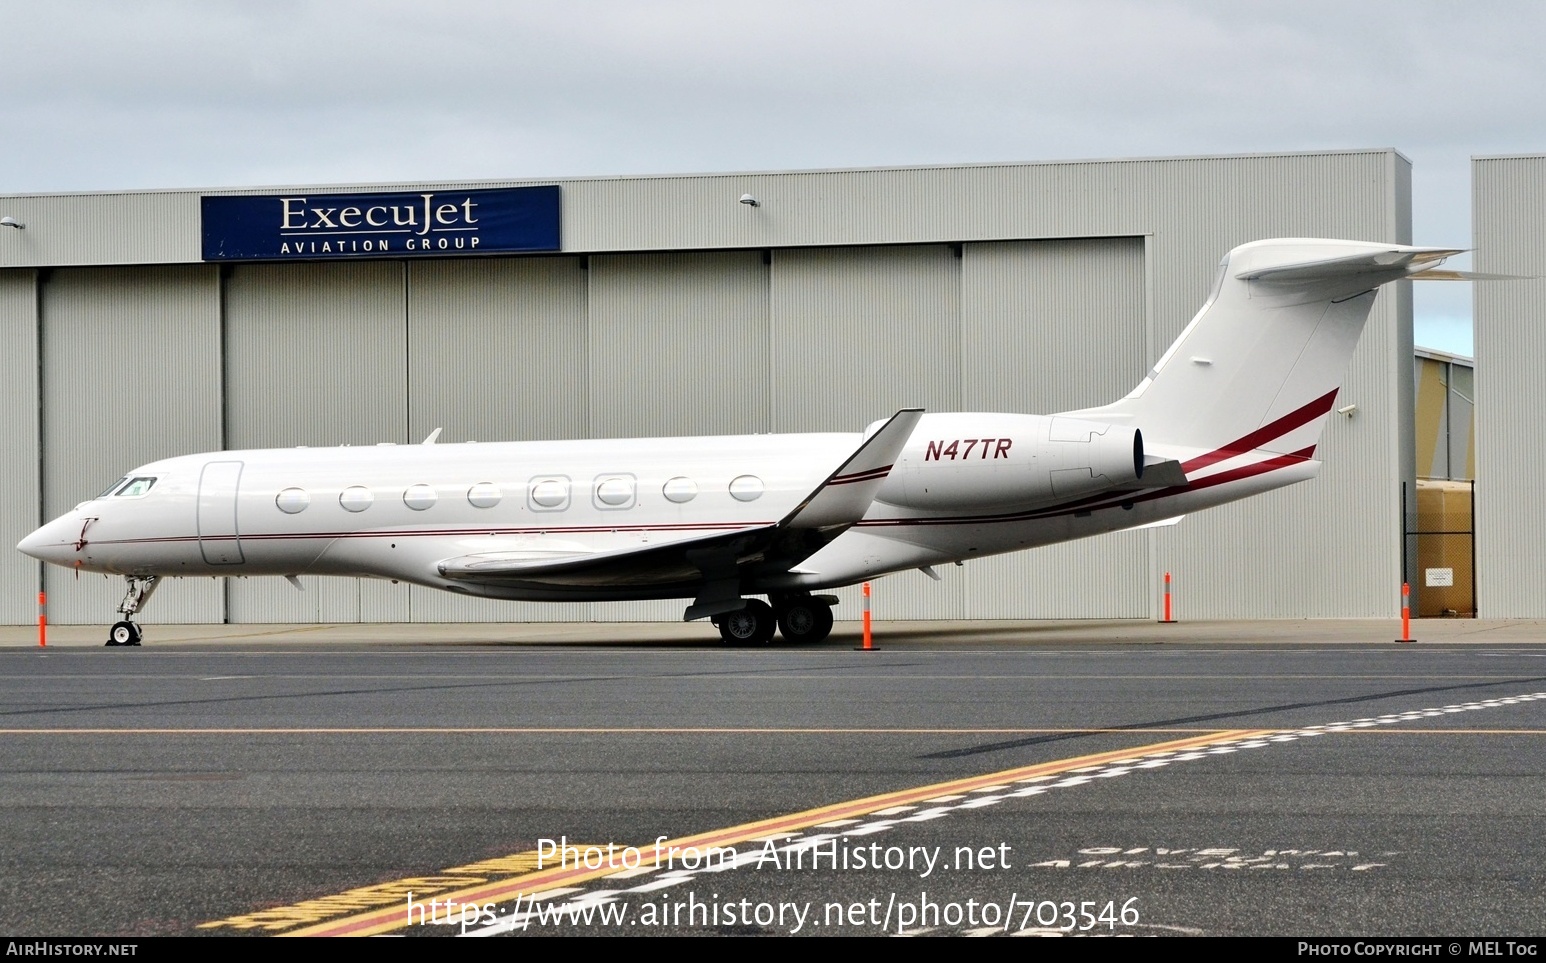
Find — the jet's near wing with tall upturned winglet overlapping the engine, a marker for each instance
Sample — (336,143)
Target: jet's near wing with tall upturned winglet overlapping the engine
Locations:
(715,559)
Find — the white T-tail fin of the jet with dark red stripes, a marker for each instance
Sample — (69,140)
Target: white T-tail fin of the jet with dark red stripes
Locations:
(1261,364)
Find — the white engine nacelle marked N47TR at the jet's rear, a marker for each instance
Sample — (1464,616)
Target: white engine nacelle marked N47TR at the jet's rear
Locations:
(969,461)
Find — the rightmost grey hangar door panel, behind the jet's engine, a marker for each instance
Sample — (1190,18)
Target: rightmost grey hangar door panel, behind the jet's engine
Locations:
(1052,327)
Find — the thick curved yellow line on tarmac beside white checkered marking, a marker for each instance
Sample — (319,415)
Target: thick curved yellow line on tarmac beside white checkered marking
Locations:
(395,916)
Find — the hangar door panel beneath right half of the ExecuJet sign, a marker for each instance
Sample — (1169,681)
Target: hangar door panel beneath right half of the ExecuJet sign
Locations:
(497,352)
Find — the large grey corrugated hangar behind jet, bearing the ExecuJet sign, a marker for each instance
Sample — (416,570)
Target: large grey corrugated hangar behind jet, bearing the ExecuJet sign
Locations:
(664,305)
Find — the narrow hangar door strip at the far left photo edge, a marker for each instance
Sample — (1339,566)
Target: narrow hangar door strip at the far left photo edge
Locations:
(19,512)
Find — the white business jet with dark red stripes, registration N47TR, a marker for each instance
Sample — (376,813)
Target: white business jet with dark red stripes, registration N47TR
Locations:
(1233,409)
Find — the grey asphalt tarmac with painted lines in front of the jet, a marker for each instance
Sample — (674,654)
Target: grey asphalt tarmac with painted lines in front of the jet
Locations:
(1268,778)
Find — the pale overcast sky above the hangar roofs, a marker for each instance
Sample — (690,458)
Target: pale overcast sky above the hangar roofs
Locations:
(197,95)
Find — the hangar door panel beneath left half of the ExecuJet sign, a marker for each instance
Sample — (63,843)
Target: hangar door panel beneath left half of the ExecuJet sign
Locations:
(316,355)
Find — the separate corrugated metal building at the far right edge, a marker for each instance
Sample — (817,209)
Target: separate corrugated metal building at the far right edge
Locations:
(1508,211)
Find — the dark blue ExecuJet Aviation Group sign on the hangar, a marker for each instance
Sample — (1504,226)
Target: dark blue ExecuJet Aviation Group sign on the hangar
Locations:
(310,226)
